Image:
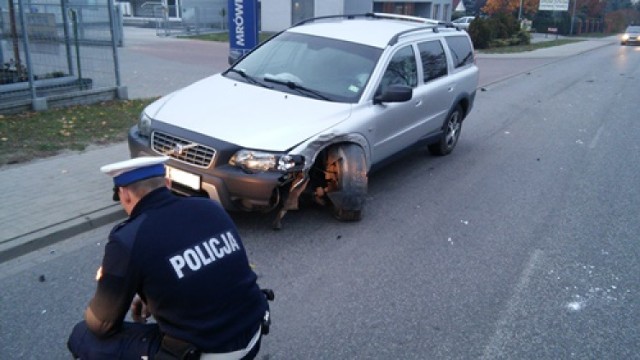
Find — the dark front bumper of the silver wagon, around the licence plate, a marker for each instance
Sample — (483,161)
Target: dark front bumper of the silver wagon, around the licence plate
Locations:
(234,188)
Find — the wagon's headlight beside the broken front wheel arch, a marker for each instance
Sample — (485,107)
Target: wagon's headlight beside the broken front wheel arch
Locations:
(252,160)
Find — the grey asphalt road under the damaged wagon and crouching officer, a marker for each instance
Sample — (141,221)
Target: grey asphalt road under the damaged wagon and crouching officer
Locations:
(522,244)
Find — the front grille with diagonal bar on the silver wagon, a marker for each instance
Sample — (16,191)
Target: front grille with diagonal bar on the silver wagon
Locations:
(184,150)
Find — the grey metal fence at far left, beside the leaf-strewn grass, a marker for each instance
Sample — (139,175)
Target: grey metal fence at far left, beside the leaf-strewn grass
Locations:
(56,53)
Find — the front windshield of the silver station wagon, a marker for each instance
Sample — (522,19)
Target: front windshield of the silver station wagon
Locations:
(322,68)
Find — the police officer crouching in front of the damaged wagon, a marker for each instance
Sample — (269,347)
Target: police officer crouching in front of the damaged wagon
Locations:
(178,260)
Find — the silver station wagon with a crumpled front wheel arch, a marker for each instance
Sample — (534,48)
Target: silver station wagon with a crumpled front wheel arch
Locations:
(312,111)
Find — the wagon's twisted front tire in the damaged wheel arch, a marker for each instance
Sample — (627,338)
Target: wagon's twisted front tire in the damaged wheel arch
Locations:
(346,171)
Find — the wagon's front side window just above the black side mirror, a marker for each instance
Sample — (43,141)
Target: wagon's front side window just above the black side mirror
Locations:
(402,70)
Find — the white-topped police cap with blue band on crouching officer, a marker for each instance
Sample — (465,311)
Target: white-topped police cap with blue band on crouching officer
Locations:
(136,169)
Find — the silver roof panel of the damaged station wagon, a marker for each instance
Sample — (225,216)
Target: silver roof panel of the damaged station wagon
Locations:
(376,32)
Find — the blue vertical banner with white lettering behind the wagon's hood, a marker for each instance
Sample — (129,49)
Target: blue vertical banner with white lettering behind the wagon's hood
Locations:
(243,27)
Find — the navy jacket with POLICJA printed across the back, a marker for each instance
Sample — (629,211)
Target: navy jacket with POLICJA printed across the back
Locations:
(184,257)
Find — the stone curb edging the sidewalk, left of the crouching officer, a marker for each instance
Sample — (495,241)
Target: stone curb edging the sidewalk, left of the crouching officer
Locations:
(37,239)
